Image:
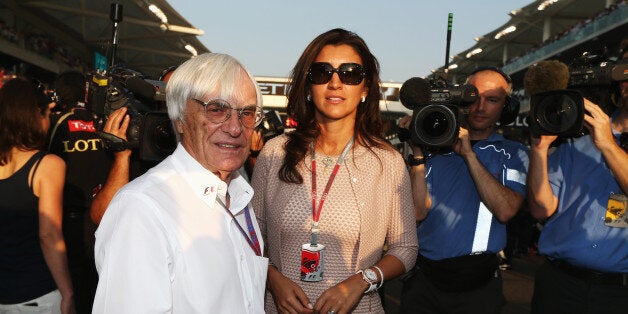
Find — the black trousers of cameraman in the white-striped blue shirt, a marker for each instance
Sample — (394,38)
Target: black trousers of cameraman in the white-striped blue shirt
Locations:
(419,295)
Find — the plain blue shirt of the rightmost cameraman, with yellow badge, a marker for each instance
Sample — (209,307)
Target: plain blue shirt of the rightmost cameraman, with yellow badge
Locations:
(576,233)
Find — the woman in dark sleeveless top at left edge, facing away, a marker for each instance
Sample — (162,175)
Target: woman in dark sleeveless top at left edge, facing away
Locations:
(33,265)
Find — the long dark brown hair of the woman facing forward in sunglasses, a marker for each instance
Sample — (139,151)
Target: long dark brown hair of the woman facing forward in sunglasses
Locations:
(368,126)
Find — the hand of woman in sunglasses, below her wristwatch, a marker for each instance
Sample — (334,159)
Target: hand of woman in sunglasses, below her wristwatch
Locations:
(343,297)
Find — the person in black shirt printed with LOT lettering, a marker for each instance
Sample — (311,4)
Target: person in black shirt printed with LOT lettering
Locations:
(73,137)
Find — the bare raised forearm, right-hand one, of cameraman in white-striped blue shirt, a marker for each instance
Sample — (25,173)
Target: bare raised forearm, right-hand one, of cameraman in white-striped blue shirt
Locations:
(499,199)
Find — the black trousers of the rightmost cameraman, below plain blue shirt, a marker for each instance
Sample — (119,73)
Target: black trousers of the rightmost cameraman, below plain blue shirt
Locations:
(558,292)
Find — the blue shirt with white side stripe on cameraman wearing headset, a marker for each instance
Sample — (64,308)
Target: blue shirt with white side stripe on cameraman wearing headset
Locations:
(458,223)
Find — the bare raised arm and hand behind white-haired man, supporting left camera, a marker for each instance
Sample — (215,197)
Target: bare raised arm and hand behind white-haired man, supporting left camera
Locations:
(117,124)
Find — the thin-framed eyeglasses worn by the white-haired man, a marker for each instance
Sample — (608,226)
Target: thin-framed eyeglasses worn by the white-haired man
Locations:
(218,111)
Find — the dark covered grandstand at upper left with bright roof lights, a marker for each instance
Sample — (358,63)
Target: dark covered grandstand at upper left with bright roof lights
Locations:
(44,38)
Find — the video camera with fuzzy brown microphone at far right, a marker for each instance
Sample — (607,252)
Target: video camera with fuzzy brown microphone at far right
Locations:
(556,110)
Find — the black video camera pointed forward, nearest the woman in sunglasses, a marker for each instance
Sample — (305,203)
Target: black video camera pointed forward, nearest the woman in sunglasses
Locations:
(437,110)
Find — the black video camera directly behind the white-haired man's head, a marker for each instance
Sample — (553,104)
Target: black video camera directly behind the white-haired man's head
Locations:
(150,130)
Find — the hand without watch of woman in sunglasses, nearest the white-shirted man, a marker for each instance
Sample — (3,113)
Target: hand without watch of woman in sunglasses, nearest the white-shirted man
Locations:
(288,296)
